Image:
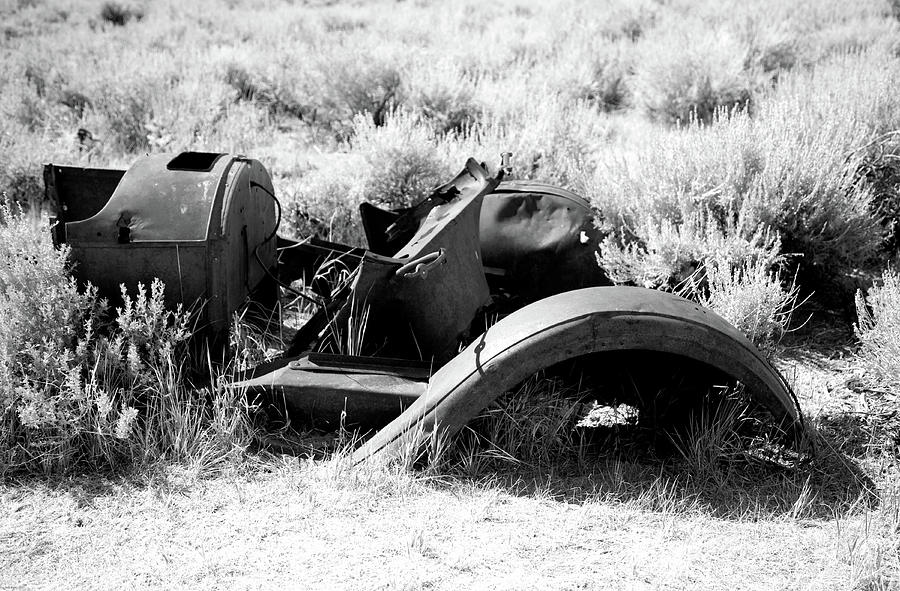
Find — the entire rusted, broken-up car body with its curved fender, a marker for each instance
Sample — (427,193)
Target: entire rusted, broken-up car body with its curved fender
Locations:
(457,300)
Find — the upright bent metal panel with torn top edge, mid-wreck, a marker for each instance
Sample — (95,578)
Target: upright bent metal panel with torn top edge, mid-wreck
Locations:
(421,300)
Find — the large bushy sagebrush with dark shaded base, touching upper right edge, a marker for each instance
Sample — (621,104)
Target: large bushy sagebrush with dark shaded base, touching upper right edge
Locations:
(810,134)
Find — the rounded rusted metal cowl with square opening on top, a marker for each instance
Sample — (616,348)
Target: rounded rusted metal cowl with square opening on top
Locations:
(203,223)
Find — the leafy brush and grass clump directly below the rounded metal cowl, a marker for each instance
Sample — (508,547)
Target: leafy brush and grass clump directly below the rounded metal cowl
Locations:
(146,360)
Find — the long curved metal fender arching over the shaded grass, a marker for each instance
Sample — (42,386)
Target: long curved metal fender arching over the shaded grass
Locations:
(569,325)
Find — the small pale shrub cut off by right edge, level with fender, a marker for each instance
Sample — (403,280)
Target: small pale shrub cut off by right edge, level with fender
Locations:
(878,331)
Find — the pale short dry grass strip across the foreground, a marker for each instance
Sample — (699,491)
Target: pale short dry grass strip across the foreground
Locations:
(323,526)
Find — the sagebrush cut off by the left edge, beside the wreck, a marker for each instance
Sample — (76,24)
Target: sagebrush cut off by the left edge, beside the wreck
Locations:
(44,315)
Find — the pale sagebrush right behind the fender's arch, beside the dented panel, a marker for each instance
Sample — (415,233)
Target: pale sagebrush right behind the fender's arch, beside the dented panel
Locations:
(675,200)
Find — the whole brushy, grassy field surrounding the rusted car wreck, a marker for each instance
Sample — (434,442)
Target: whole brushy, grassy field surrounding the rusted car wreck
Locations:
(753,145)
